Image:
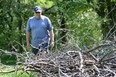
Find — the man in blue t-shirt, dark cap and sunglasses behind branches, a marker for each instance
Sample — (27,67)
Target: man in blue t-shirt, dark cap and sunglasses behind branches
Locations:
(41,30)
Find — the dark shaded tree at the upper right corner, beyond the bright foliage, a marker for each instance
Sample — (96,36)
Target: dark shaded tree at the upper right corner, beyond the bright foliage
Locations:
(106,10)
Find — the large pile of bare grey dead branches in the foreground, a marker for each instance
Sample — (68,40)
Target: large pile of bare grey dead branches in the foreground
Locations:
(96,62)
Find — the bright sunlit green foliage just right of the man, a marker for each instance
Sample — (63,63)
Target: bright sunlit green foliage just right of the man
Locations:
(82,23)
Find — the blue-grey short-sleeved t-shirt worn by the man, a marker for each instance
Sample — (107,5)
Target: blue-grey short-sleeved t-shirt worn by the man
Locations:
(39,30)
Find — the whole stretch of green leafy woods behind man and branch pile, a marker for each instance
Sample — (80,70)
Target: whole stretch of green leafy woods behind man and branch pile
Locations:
(88,19)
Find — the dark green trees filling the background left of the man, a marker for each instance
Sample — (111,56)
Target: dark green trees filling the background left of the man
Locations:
(13,16)
